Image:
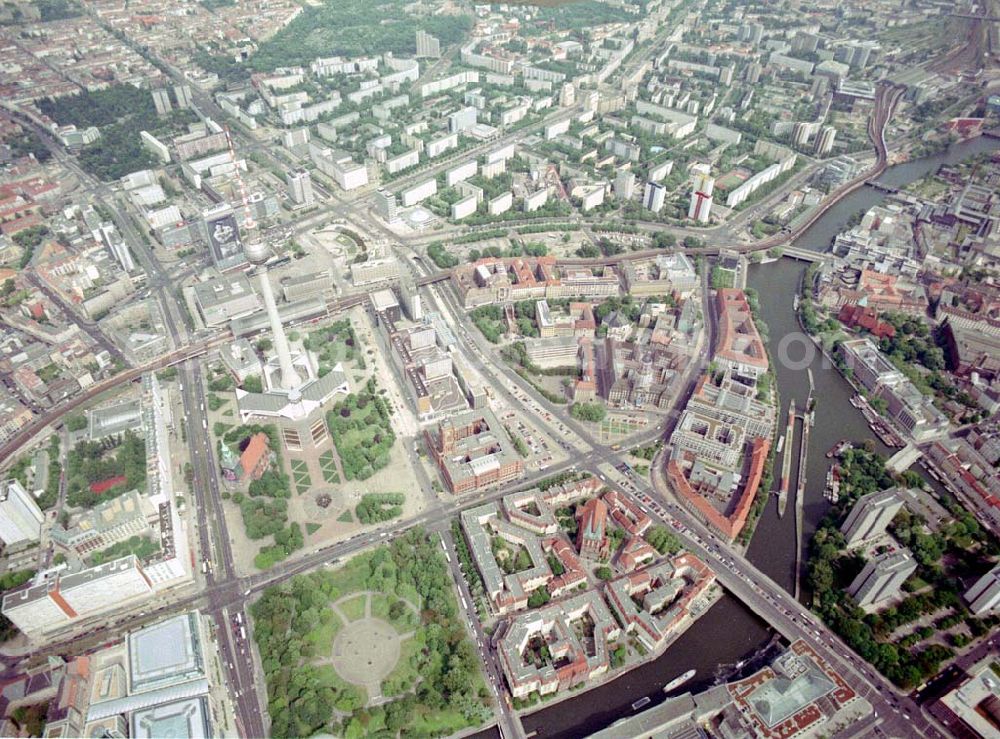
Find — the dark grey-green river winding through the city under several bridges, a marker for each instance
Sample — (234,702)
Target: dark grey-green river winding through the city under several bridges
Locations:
(729,633)
